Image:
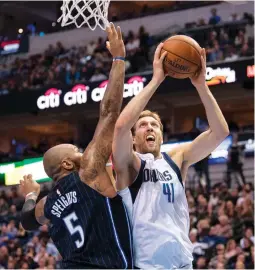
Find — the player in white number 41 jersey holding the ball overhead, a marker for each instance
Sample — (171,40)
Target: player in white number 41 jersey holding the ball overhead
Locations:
(156,197)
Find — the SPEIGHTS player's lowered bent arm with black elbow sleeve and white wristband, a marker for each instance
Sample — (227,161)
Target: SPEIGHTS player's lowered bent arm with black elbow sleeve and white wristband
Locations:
(32,214)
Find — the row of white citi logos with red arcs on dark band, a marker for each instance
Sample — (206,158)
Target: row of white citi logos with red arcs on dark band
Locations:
(53,97)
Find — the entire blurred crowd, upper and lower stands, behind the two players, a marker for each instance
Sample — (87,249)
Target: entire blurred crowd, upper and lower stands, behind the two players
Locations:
(221,217)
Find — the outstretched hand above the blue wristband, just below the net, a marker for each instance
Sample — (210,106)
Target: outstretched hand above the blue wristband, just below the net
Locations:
(115,43)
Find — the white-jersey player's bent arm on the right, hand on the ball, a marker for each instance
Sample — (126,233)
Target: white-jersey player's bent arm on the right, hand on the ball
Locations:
(218,130)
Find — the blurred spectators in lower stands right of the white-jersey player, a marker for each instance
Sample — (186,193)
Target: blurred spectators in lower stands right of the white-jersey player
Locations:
(213,234)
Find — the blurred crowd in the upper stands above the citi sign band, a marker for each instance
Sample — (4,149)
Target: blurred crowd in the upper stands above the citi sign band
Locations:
(92,62)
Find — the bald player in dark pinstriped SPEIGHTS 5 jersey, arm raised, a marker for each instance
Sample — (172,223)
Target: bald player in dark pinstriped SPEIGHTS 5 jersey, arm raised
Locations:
(87,220)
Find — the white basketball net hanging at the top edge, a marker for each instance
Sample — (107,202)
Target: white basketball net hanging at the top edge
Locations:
(91,12)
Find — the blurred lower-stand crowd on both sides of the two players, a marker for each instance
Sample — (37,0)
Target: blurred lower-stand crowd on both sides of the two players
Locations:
(221,230)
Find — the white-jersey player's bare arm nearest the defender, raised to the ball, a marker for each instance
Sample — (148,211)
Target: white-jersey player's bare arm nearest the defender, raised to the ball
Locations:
(126,163)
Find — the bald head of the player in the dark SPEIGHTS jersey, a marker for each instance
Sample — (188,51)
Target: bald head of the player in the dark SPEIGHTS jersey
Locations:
(59,157)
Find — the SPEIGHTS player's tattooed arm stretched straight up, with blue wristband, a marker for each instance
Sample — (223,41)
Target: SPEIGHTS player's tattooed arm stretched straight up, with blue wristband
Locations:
(96,155)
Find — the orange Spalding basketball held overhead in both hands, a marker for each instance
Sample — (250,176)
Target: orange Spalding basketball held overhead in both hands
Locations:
(183,57)
